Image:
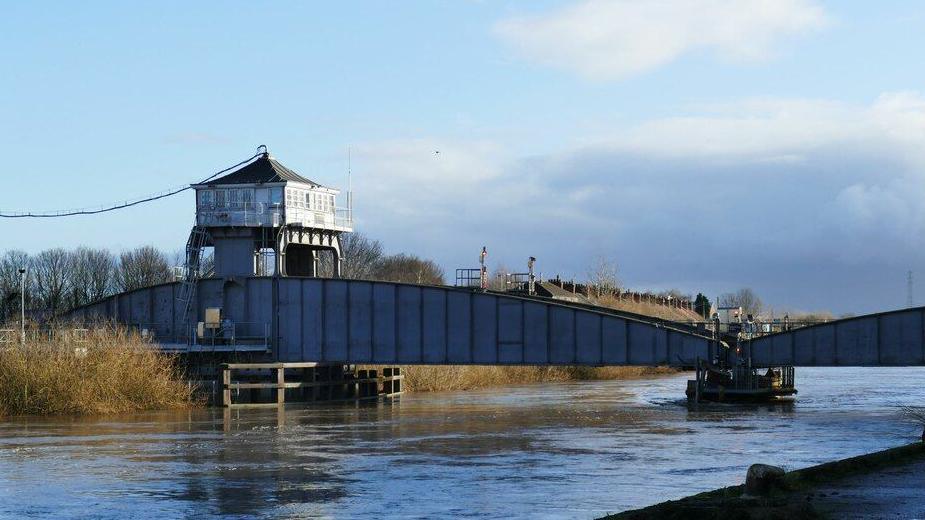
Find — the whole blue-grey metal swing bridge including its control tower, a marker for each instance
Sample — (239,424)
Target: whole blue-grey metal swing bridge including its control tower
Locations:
(265,213)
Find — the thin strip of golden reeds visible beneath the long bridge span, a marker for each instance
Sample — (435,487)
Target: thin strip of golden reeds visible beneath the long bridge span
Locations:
(440,378)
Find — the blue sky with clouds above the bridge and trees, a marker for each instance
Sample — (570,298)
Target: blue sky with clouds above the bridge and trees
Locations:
(703,145)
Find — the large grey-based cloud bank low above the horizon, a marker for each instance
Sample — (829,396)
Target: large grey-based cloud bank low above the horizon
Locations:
(800,198)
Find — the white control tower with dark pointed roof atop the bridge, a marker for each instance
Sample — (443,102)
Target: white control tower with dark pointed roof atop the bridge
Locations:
(264,210)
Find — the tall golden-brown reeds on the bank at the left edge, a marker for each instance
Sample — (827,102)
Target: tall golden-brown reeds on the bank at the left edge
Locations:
(110,371)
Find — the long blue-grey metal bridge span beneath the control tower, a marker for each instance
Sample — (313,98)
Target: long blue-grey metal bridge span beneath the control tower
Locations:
(293,319)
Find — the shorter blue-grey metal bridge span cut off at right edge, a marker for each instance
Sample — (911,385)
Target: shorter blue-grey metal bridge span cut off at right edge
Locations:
(892,338)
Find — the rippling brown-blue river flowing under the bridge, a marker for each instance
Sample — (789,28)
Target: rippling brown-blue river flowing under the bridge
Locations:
(562,450)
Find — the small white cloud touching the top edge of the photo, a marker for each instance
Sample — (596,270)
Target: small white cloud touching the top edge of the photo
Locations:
(615,39)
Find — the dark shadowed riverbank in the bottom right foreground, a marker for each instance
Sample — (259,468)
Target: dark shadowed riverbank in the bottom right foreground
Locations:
(877,485)
